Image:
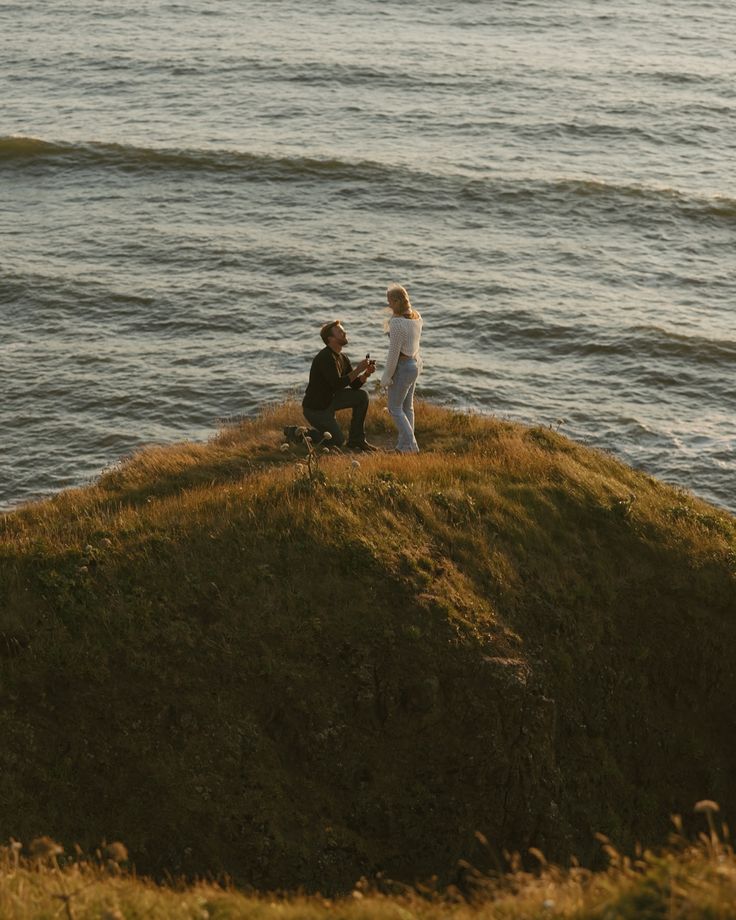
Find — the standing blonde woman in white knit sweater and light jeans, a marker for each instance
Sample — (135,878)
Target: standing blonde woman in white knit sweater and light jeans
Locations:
(402,365)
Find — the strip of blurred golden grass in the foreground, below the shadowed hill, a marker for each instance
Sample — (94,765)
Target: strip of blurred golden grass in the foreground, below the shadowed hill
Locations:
(689,880)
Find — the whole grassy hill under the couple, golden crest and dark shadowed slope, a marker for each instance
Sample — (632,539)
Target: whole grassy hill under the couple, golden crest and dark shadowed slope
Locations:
(231,668)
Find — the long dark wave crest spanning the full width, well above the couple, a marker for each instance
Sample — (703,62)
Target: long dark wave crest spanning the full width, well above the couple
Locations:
(436,189)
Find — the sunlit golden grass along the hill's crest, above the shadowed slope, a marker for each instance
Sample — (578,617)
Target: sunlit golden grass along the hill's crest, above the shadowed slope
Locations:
(468,455)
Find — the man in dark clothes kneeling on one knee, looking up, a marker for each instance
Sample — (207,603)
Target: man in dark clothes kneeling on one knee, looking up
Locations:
(333,385)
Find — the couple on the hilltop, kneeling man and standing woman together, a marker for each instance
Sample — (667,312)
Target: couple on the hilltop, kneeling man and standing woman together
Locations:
(335,384)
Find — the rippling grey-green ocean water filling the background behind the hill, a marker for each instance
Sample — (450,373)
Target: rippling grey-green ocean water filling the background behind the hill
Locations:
(189,189)
